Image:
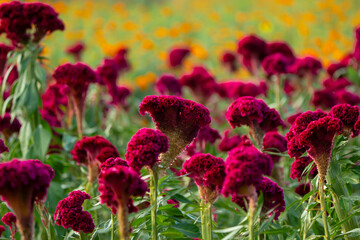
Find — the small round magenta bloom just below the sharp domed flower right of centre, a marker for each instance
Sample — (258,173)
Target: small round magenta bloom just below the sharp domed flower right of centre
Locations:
(274,142)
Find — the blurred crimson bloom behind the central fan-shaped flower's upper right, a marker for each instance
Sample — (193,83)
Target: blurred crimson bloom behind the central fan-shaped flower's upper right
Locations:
(201,82)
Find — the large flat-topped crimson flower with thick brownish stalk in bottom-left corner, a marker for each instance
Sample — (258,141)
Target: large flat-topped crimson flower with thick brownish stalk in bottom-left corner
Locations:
(23,183)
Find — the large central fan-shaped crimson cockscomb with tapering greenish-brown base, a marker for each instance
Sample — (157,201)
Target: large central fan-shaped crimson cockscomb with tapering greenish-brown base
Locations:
(179,119)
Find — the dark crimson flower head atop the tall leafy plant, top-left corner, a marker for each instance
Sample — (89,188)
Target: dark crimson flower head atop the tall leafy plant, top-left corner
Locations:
(24,22)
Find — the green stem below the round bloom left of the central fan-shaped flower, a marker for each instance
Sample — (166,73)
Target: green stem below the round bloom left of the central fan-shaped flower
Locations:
(153,200)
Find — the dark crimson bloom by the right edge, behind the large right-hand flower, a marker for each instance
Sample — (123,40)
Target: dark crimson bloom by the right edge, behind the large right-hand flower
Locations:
(348,115)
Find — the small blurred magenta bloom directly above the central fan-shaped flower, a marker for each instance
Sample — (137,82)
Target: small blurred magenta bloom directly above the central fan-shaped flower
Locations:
(168,85)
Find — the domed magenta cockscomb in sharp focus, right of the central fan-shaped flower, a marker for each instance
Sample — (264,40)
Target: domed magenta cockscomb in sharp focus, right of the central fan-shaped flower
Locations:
(255,114)
